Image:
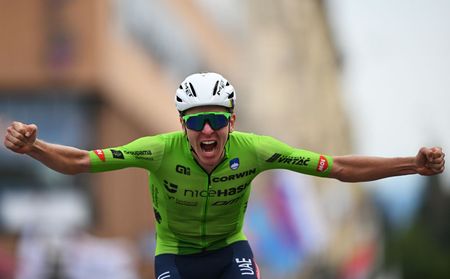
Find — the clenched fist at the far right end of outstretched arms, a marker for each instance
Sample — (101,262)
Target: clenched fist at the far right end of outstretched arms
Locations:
(430,161)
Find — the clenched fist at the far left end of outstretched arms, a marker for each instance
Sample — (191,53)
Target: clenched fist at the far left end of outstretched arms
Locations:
(20,137)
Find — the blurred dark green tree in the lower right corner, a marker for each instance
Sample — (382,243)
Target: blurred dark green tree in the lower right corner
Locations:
(423,249)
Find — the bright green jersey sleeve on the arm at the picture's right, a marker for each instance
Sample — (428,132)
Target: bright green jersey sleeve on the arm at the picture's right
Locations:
(274,154)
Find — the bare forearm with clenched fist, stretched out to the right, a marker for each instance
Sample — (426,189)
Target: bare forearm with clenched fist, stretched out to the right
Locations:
(428,161)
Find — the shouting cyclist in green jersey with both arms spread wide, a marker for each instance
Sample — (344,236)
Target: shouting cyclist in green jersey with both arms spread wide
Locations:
(200,177)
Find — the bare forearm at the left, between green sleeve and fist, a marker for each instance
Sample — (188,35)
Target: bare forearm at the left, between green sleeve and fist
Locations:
(64,159)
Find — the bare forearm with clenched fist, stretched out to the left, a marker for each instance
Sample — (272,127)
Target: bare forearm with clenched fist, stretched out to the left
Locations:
(22,138)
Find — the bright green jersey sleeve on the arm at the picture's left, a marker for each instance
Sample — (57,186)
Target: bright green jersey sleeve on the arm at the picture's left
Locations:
(143,153)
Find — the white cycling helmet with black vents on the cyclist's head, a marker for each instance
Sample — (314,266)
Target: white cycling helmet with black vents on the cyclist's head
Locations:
(205,89)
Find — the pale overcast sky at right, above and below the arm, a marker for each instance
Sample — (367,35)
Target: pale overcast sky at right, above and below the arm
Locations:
(396,79)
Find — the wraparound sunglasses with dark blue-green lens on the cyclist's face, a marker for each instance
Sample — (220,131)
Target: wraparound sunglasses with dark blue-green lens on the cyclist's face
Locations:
(217,120)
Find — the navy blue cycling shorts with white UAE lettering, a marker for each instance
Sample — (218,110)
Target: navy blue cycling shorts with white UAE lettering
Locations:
(232,262)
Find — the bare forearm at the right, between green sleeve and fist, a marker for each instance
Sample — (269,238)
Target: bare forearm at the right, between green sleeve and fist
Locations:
(366,168)
